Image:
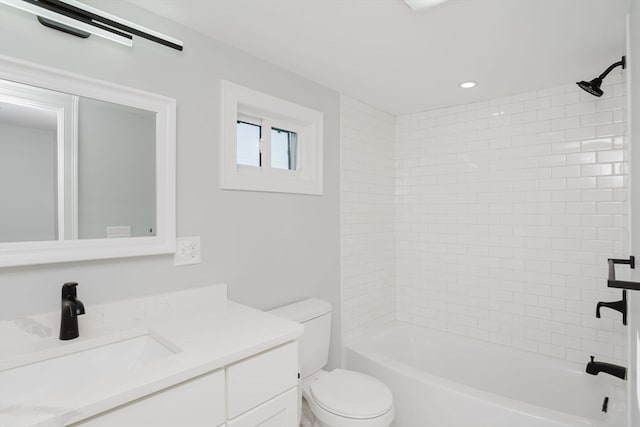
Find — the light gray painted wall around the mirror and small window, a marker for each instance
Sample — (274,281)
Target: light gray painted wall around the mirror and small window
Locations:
(270,248)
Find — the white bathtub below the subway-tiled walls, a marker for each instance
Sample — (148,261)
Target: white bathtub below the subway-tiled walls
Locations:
(444,380)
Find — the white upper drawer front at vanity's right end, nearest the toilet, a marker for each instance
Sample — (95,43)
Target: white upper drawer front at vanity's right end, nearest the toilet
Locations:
(260,378)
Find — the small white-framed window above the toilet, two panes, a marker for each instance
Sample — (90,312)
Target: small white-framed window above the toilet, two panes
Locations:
(269,144)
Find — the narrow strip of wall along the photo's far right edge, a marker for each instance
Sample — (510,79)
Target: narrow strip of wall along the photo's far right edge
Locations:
(634,297)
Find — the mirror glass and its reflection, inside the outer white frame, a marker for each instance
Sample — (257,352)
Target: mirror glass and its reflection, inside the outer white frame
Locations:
(74,167)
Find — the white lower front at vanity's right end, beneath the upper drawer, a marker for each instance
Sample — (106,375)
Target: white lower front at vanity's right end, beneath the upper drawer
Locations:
(281,411)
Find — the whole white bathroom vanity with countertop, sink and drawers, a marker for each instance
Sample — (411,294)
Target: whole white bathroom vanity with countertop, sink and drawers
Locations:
(189,358)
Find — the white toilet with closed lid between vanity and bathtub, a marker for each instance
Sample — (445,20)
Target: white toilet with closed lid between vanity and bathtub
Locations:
(339,398)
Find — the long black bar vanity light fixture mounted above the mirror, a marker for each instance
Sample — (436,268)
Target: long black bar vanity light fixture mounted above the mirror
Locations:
(74,17)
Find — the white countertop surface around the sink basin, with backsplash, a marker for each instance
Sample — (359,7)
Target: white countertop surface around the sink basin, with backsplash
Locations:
(207,331)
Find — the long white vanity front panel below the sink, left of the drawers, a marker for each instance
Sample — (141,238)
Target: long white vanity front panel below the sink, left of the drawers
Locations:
(199,402)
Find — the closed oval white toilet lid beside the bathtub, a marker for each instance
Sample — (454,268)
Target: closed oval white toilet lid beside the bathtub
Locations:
(351,394)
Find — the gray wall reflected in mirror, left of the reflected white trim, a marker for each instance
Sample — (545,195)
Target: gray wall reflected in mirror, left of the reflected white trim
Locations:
(27,184)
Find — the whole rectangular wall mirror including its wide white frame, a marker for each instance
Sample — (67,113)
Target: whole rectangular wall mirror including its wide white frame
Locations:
(87,168)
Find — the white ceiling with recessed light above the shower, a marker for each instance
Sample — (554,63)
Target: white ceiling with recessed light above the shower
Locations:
(402,61)
